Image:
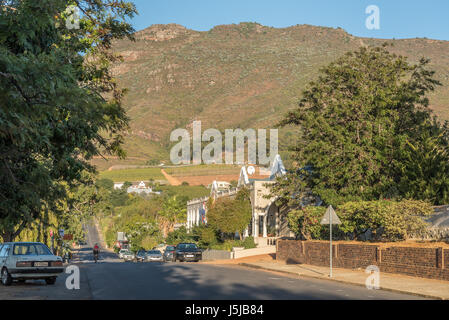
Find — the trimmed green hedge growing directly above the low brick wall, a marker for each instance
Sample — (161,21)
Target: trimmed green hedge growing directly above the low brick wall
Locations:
(387,220)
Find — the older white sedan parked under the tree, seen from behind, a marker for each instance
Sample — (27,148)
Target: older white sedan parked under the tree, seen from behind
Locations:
(23,261)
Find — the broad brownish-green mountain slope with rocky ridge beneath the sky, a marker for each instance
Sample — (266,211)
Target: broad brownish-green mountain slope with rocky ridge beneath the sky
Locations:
(236,76)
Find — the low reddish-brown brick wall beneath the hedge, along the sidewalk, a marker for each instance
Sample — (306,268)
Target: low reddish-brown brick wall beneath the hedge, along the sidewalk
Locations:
(430,263)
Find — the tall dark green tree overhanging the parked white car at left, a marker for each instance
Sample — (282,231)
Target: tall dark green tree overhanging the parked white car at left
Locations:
(60,105)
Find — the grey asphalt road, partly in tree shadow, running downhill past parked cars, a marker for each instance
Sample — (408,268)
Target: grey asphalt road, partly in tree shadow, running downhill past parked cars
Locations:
(111,278)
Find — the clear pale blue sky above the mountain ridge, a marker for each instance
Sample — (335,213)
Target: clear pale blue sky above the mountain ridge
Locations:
(398,18)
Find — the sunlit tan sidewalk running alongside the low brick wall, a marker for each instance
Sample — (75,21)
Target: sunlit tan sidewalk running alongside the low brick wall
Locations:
(429,288)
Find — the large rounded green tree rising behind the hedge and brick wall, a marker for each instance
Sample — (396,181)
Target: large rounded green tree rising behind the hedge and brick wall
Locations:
(367,133)
